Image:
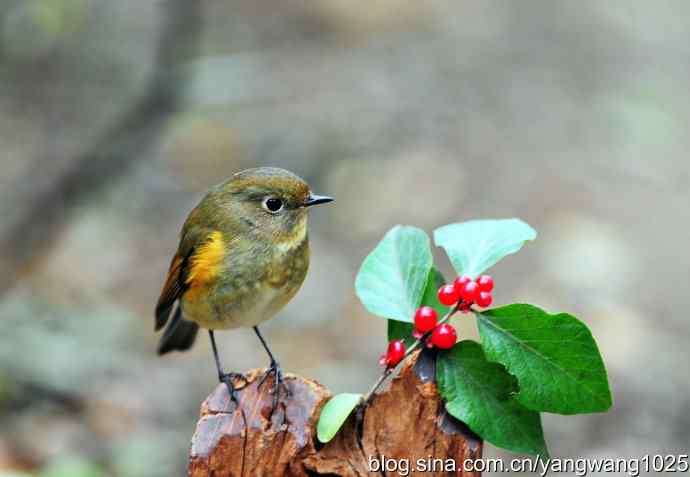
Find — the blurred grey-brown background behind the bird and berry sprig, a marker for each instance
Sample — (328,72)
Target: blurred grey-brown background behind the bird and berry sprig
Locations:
(115,117)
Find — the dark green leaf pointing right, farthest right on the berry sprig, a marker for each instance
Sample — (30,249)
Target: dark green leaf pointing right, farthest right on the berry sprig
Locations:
(554,357)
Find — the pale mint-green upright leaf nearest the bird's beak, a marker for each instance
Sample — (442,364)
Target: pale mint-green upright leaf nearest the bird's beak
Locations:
(392,278)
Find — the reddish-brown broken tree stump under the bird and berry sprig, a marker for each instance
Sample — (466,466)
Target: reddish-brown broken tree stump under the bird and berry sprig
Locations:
(405,426)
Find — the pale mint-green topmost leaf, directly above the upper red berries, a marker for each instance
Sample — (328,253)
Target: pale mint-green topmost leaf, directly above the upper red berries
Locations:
(475,246)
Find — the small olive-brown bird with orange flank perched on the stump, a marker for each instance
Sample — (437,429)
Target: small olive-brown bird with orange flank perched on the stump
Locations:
(243,255)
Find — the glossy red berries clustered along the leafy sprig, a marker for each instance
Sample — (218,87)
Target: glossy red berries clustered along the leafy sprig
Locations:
(463,292)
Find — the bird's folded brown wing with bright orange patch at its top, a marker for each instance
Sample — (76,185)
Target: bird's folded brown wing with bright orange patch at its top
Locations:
(196,262)
